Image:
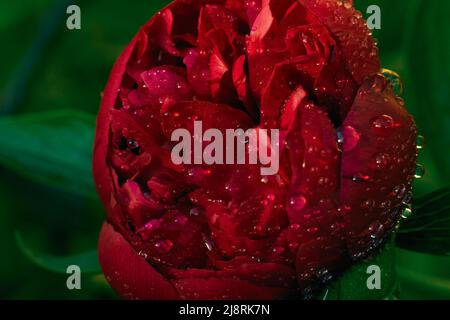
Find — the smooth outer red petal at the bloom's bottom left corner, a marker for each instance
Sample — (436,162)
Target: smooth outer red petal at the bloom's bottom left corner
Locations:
(127,272)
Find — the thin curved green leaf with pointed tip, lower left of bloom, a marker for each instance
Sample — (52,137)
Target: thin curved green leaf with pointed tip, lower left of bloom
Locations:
(88,261)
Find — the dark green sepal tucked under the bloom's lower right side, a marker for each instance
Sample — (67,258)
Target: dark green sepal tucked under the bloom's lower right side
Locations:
(352,285)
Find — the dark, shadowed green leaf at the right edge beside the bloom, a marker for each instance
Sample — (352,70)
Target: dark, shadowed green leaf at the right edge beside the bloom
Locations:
(428,229)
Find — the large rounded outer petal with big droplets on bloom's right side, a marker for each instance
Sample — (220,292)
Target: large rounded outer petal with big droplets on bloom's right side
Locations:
(378,163)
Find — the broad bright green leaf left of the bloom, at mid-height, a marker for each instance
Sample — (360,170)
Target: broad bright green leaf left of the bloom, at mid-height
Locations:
(53,148)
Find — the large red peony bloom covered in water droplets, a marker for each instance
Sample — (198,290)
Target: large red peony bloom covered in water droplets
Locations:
(309,68)
